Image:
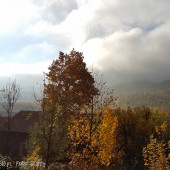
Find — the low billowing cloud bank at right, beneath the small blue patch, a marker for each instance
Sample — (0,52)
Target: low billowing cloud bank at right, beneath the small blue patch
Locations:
(136,55)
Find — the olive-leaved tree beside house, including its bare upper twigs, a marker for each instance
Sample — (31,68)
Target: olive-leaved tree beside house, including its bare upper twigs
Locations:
(46,131)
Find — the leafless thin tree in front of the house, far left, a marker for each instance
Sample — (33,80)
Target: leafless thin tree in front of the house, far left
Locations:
(10,94)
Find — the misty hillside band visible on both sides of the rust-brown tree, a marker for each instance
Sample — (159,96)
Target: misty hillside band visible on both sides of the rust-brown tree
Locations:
(134,93)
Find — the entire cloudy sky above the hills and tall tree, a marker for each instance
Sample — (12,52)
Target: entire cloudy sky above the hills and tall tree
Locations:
(127,40)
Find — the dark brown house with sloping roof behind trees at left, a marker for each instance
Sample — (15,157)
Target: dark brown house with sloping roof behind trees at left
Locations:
(20,124)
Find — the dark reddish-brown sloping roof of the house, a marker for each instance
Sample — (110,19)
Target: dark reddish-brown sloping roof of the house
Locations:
(20,122)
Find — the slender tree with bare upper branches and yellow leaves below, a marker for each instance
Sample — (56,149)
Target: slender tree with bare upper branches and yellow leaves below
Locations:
(85,126)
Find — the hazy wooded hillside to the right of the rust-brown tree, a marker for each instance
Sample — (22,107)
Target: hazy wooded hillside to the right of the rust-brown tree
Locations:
(144,93)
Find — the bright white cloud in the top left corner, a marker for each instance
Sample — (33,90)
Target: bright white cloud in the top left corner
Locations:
(16,14)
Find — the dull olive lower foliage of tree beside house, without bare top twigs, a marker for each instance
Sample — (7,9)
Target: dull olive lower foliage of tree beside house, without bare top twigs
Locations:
(46,134)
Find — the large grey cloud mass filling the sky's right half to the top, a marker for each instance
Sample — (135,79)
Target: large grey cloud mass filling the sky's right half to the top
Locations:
(133,39)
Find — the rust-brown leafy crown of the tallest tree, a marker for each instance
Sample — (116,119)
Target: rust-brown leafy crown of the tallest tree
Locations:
(70,83)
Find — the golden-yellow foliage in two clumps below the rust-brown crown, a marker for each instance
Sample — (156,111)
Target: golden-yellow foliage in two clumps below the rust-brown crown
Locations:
(101,149)
